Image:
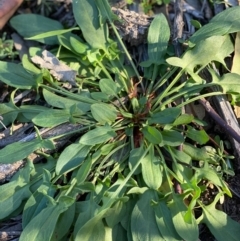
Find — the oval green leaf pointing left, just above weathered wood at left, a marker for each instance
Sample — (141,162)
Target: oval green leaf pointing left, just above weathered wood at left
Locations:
(52,117)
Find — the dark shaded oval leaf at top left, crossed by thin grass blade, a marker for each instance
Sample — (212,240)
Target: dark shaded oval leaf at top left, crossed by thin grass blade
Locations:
(38,25)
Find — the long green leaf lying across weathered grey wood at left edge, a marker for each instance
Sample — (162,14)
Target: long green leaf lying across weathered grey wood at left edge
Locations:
(20,150)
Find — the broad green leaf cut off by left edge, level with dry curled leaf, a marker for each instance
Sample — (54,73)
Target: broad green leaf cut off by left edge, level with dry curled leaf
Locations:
(15,75)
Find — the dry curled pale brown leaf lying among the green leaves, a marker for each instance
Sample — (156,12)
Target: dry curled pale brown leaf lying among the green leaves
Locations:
(59,70)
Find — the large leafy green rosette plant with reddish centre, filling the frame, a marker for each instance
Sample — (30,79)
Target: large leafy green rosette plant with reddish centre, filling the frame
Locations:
(138,166)
